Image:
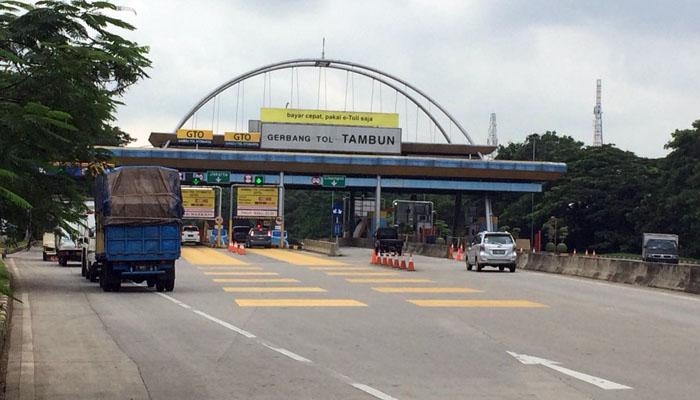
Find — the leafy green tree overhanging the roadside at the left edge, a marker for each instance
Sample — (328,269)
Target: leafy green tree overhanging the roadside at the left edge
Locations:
(62,71)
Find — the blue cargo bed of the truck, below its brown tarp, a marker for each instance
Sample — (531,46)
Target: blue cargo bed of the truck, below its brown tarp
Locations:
(142,242)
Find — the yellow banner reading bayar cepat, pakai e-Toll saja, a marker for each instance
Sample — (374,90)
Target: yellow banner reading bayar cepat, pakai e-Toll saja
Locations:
(321,117)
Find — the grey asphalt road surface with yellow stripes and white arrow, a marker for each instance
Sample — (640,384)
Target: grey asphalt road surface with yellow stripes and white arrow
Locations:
(276,324)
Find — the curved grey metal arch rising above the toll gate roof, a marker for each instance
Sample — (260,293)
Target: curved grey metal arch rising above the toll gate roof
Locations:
(352,67)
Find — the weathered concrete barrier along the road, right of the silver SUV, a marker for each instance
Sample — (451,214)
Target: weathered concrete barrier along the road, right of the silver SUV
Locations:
(684,278)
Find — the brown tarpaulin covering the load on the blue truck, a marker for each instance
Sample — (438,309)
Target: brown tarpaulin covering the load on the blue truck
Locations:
(139,196)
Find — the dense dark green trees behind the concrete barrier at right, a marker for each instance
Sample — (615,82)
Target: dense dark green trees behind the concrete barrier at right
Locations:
(609,197)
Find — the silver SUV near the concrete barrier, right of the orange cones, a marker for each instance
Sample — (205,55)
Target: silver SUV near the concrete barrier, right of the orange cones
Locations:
(496,249)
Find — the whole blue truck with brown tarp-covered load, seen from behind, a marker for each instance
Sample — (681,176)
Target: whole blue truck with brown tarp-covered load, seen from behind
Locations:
(138,215)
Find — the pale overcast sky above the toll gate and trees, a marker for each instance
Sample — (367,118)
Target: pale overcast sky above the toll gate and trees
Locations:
(534,63)
